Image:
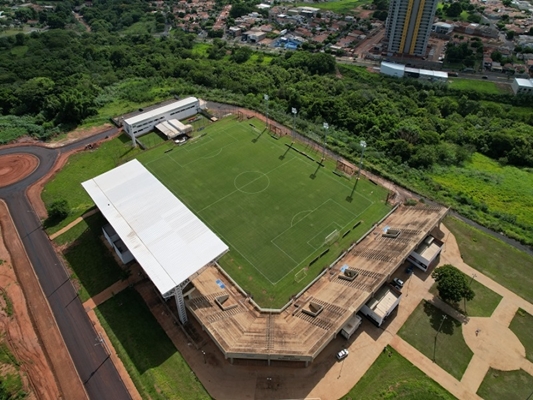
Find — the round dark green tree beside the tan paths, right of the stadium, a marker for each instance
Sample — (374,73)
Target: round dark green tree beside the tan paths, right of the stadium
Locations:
(452,284)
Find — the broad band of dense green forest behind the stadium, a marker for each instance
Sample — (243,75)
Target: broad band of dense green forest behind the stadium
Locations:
(54,80)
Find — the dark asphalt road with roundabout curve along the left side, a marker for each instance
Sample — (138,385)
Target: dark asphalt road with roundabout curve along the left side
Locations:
(95,368)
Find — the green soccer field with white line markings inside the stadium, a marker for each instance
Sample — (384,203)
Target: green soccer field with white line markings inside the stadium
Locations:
(275,208)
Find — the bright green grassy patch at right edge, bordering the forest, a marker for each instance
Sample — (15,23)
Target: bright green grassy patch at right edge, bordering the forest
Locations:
(502,189)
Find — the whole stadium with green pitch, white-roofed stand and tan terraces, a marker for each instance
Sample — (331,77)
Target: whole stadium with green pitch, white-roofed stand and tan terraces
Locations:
(257,240)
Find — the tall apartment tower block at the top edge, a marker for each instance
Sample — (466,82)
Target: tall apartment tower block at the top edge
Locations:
(409,25)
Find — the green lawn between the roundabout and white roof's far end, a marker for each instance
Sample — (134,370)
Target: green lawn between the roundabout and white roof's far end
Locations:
(66,184)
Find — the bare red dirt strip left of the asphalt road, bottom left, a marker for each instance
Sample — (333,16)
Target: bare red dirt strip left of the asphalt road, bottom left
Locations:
(31,332)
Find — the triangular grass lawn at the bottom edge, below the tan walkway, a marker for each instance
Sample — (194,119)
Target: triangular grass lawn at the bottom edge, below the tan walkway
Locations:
(396,378)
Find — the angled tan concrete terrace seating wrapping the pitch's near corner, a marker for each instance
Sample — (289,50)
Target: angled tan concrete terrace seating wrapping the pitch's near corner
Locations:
(302,330)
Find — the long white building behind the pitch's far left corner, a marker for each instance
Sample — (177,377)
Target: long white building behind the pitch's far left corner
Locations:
(145,122)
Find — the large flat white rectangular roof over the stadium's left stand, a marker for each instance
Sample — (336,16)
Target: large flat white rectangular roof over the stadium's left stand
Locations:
(165,237)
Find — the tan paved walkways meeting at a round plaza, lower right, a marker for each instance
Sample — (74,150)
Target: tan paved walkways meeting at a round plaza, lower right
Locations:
(493,343)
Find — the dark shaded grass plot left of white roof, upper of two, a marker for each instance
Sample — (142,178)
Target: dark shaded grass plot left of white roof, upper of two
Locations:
(91,262)
